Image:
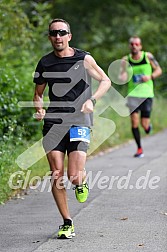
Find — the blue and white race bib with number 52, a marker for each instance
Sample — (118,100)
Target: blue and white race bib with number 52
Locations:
(78,133)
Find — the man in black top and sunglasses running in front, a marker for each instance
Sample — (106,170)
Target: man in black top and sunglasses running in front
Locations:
(67,71)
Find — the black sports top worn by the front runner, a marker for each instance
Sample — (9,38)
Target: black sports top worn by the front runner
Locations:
(69,87)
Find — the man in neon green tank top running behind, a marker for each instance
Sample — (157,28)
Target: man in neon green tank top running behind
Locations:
(140,88)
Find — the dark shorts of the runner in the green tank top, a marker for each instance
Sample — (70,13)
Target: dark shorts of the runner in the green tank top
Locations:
(144,105)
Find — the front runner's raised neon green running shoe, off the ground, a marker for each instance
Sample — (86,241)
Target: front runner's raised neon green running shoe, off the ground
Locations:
(82,192)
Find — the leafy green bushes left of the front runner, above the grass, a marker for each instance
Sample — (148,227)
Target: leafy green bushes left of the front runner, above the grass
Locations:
(17,63)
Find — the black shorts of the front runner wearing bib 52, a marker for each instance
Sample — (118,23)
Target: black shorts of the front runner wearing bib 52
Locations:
(56,137)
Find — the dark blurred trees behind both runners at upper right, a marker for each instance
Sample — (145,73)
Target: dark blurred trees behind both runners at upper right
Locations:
(104,28)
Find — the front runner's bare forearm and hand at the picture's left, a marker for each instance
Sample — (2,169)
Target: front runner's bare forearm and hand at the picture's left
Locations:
(38,101)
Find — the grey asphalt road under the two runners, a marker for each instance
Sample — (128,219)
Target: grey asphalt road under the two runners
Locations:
(126,210)
